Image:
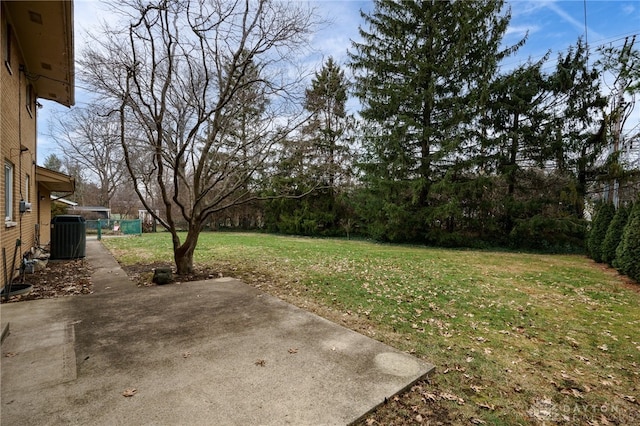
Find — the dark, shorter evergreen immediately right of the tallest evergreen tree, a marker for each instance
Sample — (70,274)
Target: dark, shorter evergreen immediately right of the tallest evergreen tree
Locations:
(518,124)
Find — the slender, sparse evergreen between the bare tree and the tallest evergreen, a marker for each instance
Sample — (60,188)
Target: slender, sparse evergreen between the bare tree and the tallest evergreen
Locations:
(318,159)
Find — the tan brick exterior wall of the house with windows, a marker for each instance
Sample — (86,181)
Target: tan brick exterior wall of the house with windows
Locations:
(18,146)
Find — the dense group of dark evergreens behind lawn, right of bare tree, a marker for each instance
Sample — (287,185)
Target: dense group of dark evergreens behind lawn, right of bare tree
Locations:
(452,150)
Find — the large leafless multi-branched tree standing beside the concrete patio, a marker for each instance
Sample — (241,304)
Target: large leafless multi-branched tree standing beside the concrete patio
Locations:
(175,75)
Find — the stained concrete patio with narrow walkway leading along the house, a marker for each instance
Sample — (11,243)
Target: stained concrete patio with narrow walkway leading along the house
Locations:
(212,352)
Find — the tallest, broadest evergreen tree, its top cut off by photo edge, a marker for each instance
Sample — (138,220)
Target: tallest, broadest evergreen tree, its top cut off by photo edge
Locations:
(422,72)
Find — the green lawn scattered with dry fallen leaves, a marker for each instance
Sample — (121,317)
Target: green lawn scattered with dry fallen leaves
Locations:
(516,338)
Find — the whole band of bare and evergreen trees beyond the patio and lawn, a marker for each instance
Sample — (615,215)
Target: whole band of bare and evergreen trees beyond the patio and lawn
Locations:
(197,114)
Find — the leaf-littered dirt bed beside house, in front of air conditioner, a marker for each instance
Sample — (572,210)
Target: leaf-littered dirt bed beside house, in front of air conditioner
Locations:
(58,279)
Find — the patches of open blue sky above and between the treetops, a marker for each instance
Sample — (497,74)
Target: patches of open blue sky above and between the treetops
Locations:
(550,24)
